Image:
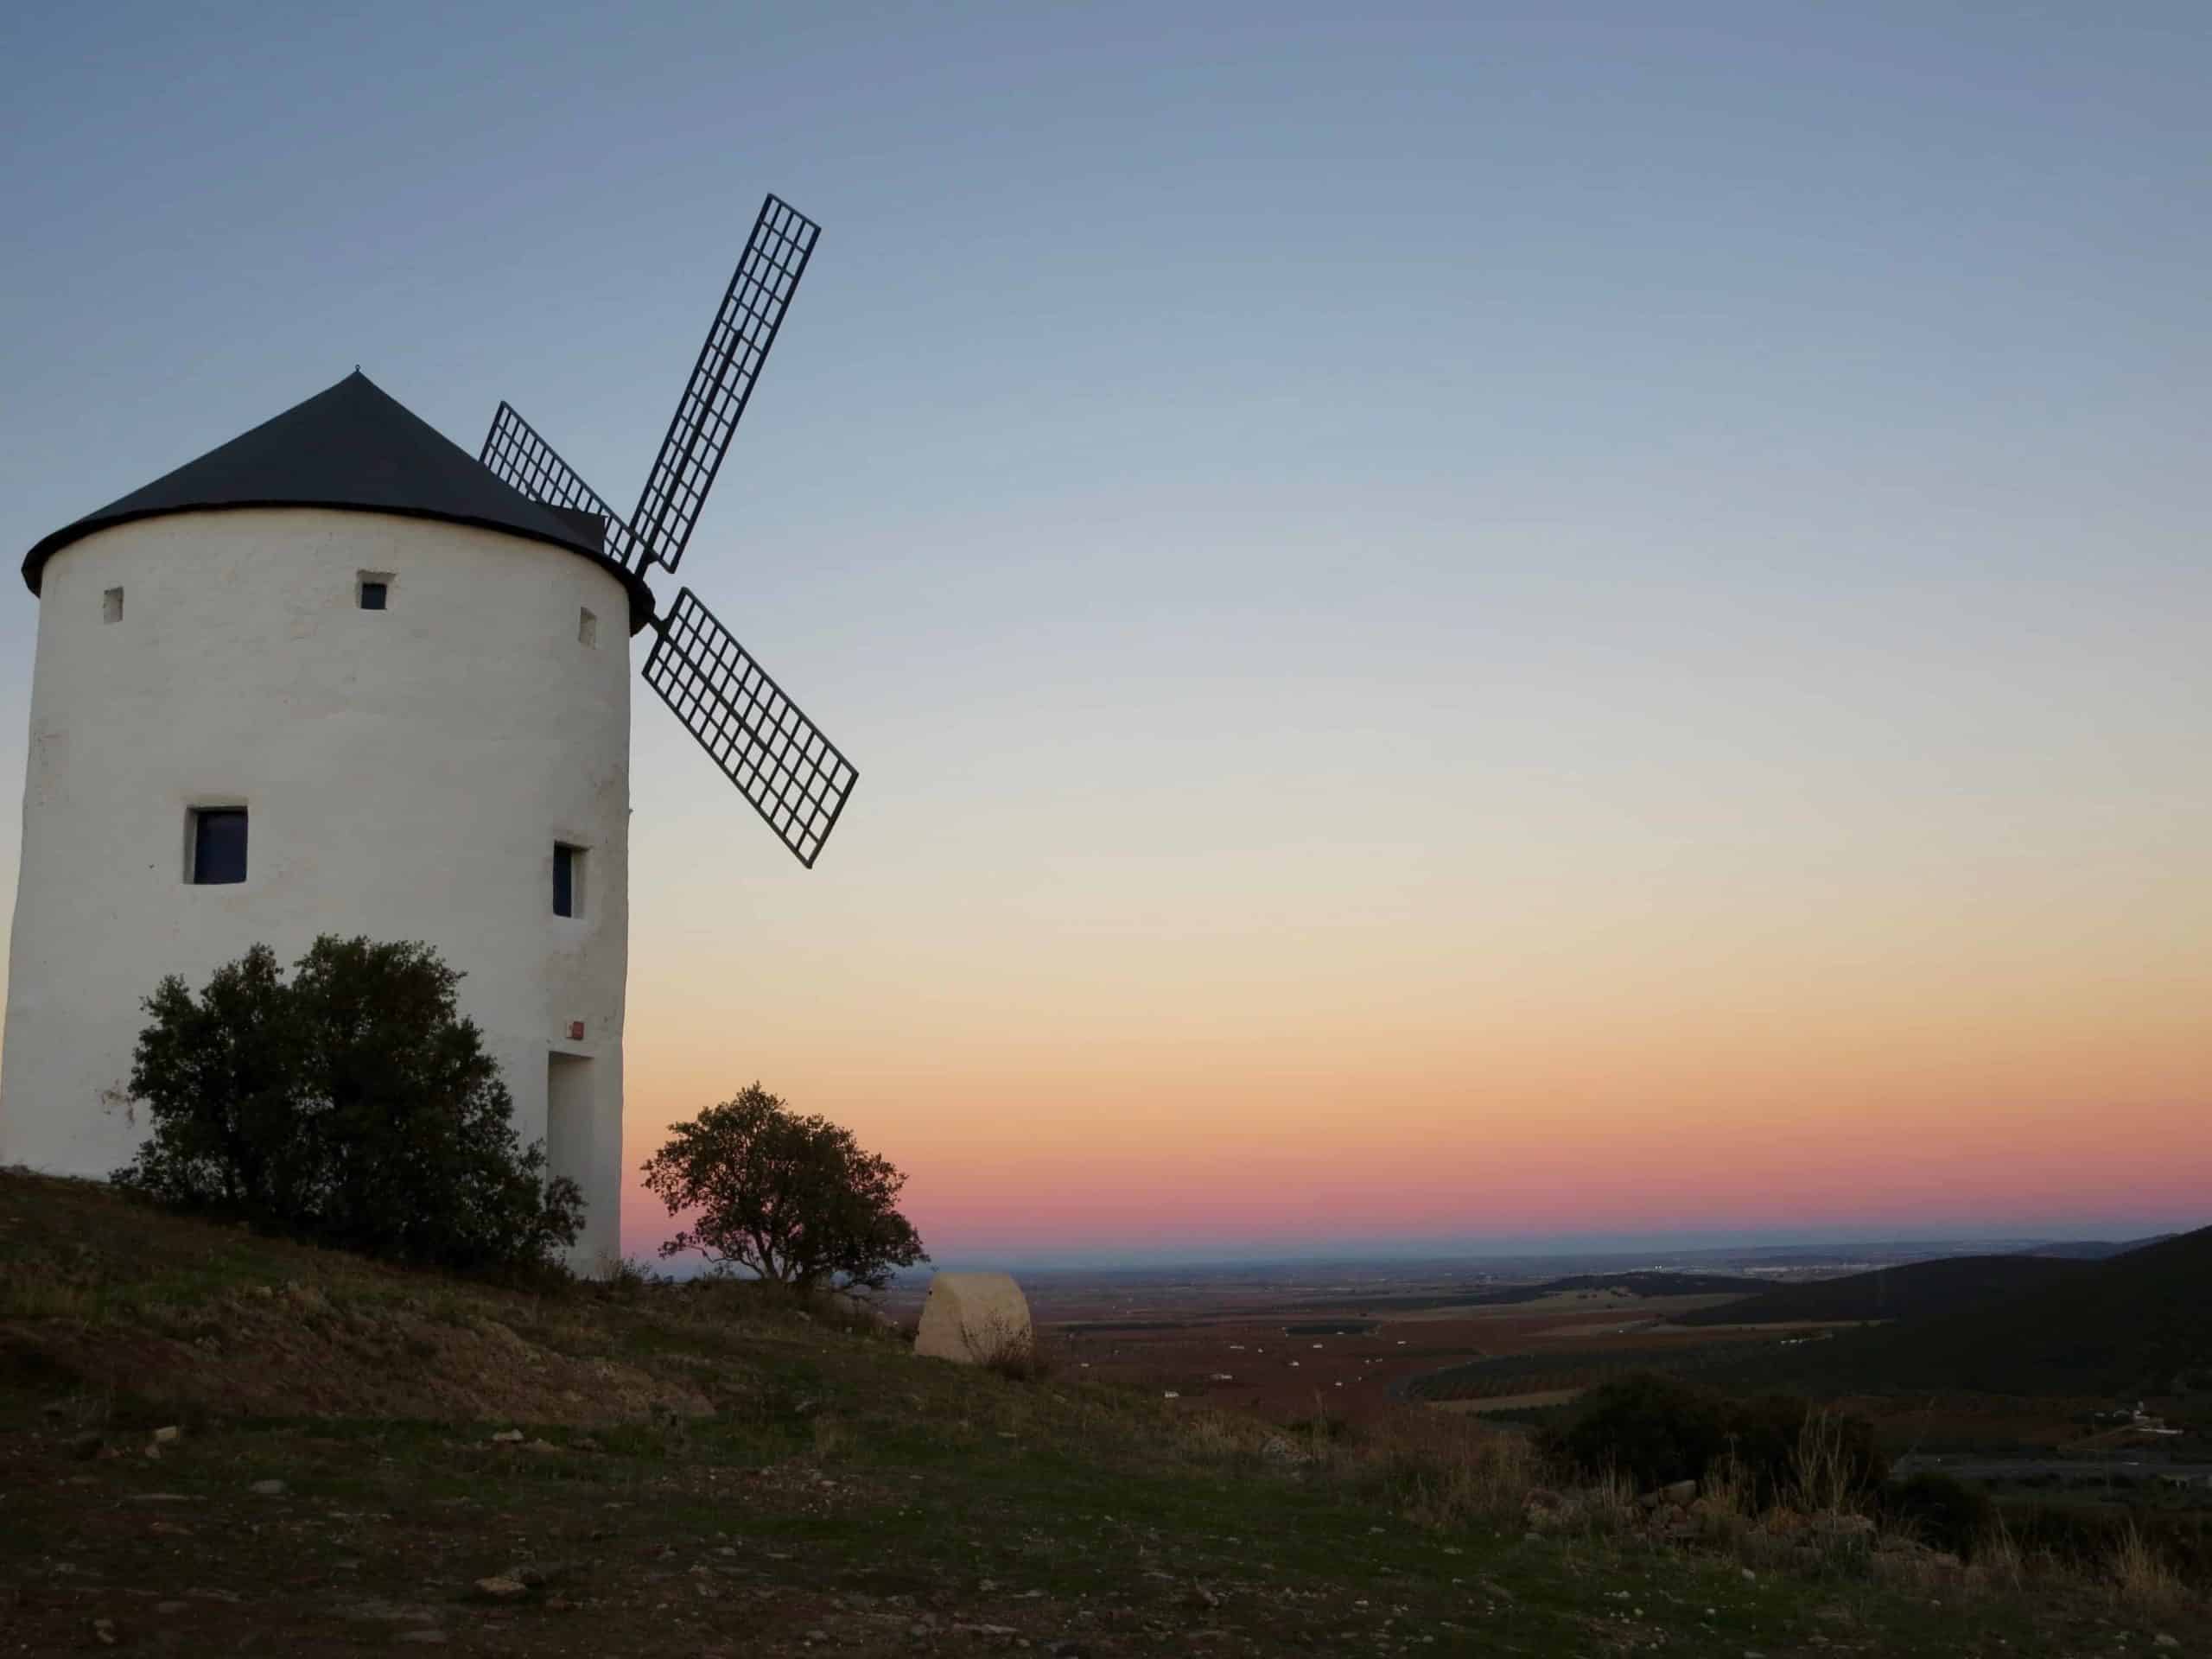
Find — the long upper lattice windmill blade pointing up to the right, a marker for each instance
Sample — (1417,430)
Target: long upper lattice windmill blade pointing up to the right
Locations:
(722,382)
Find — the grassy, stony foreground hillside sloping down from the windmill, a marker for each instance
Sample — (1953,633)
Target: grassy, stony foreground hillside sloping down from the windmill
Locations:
(368,1459)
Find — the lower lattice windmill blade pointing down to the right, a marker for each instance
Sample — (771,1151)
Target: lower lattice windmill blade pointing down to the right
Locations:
(775,755)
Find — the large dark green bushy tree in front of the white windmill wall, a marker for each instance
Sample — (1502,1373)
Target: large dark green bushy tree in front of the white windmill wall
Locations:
(353,1107)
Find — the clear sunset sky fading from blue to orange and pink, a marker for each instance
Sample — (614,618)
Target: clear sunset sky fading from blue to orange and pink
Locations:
(1463,627)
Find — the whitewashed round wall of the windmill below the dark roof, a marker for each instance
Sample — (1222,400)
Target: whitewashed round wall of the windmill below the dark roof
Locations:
(406,771)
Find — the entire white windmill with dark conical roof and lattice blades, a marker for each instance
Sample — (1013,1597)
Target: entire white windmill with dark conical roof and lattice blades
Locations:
(342,678)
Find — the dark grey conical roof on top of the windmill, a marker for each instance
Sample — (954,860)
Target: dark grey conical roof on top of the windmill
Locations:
(353,448)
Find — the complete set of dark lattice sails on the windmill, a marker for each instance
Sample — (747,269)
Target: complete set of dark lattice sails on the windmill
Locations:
(793,775)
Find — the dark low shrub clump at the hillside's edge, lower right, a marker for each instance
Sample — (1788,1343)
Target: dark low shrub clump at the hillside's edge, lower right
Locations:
(1653,1430)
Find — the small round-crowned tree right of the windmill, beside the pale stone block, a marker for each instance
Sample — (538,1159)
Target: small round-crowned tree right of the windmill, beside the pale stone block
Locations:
(786,1198)
